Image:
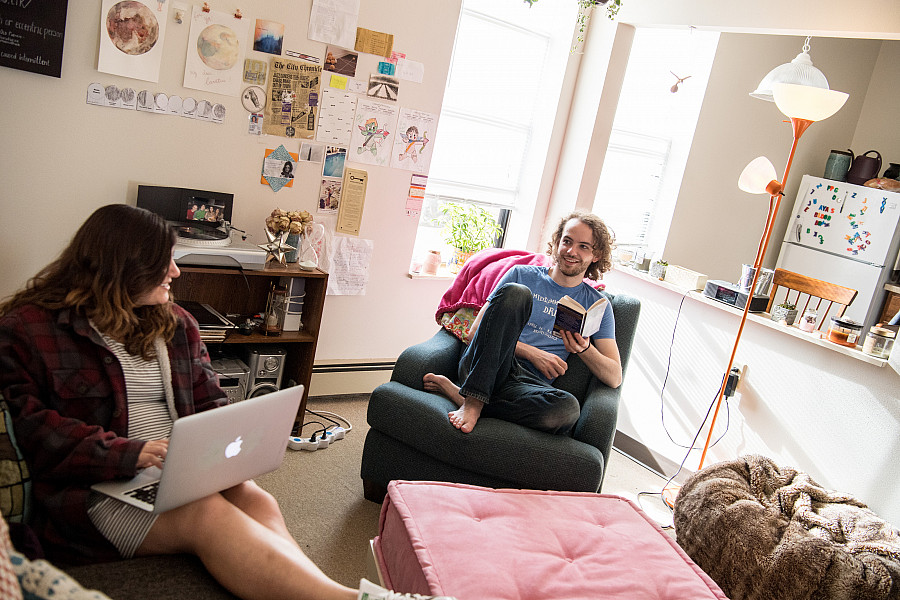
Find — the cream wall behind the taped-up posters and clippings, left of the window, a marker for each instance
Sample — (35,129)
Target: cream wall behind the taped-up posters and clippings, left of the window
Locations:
(63,158)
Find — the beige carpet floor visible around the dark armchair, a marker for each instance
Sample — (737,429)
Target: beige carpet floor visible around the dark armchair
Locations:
(322,499)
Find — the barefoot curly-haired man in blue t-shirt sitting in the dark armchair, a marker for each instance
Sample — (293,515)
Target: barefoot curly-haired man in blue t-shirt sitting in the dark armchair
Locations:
(513,357)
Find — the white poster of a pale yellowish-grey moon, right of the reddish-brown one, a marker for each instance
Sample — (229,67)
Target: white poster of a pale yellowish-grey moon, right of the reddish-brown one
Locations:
(215,54)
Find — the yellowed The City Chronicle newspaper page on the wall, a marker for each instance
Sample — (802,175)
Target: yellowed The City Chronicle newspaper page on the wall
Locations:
(288,112)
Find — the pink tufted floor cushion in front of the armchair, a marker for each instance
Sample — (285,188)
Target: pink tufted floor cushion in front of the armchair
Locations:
(478,543)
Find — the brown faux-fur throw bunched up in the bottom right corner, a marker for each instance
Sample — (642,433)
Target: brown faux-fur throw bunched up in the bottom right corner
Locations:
(765,532)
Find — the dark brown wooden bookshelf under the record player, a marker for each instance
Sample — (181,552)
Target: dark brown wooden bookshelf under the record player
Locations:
(235,291)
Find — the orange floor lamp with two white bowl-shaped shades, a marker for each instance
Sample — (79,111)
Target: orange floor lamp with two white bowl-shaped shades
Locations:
(804,105)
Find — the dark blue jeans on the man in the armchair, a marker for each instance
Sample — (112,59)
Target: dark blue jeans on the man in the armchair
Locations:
(489,370)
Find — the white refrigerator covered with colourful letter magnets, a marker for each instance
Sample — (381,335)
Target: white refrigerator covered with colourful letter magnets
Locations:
(845,234)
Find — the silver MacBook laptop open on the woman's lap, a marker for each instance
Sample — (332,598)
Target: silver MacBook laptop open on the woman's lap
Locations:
(214,450)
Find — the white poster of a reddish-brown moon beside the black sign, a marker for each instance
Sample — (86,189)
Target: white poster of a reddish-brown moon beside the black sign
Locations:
(132,35)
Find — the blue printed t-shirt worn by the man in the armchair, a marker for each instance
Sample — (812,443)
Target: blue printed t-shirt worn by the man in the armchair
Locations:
(545,295)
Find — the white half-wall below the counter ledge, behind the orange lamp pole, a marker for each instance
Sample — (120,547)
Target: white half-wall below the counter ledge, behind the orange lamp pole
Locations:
(832,416)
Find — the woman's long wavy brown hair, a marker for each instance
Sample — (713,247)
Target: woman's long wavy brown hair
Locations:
(116,255)
